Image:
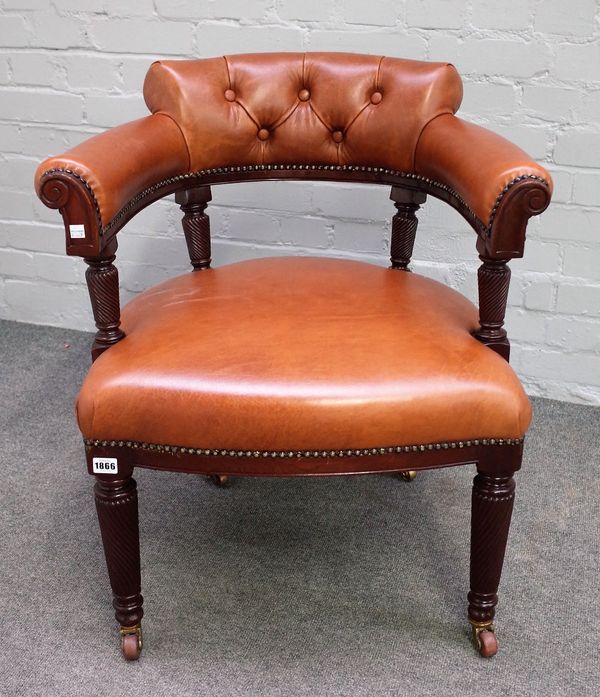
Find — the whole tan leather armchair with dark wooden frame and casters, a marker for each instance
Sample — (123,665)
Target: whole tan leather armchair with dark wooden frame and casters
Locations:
(299,366)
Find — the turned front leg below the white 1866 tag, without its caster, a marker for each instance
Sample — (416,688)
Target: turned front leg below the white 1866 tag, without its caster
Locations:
(116,504)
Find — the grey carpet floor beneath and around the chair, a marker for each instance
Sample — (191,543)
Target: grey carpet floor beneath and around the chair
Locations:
(336,586)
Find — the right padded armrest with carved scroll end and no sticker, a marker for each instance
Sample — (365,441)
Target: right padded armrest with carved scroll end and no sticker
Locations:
(501,185)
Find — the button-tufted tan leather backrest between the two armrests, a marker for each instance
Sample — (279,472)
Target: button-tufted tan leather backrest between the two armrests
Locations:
(295,108)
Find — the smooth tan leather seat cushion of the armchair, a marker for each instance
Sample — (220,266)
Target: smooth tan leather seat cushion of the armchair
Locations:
(300,353)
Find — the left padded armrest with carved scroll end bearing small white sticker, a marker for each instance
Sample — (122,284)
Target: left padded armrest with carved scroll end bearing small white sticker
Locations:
(91,183)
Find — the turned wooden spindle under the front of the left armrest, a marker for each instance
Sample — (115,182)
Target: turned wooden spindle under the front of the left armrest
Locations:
(103,285)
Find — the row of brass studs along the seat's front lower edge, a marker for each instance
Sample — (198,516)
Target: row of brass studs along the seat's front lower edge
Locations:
(361,452)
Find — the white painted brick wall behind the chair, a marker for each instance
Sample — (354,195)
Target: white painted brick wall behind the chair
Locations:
(71,68)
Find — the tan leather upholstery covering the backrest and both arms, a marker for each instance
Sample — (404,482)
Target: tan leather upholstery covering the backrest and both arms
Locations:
(294,108)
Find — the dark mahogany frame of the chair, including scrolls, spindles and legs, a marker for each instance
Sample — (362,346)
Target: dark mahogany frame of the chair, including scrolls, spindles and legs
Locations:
(498,240)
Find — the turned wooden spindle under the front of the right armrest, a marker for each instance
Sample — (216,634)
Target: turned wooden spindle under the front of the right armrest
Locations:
(493,279)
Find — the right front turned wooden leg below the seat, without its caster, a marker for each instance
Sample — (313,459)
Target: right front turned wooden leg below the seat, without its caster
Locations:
(492,505)
